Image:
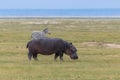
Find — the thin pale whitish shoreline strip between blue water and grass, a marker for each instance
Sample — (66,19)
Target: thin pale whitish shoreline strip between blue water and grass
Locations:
(67,17)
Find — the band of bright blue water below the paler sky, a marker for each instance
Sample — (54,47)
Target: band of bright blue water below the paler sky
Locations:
(59,12)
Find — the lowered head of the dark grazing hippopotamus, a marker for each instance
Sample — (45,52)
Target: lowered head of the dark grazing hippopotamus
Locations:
(71,51)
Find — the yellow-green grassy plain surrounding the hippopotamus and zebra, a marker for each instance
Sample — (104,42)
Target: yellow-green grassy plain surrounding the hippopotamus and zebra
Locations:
(94,63)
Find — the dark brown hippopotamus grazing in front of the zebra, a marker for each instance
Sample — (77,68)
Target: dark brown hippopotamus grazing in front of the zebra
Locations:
(48,46)
